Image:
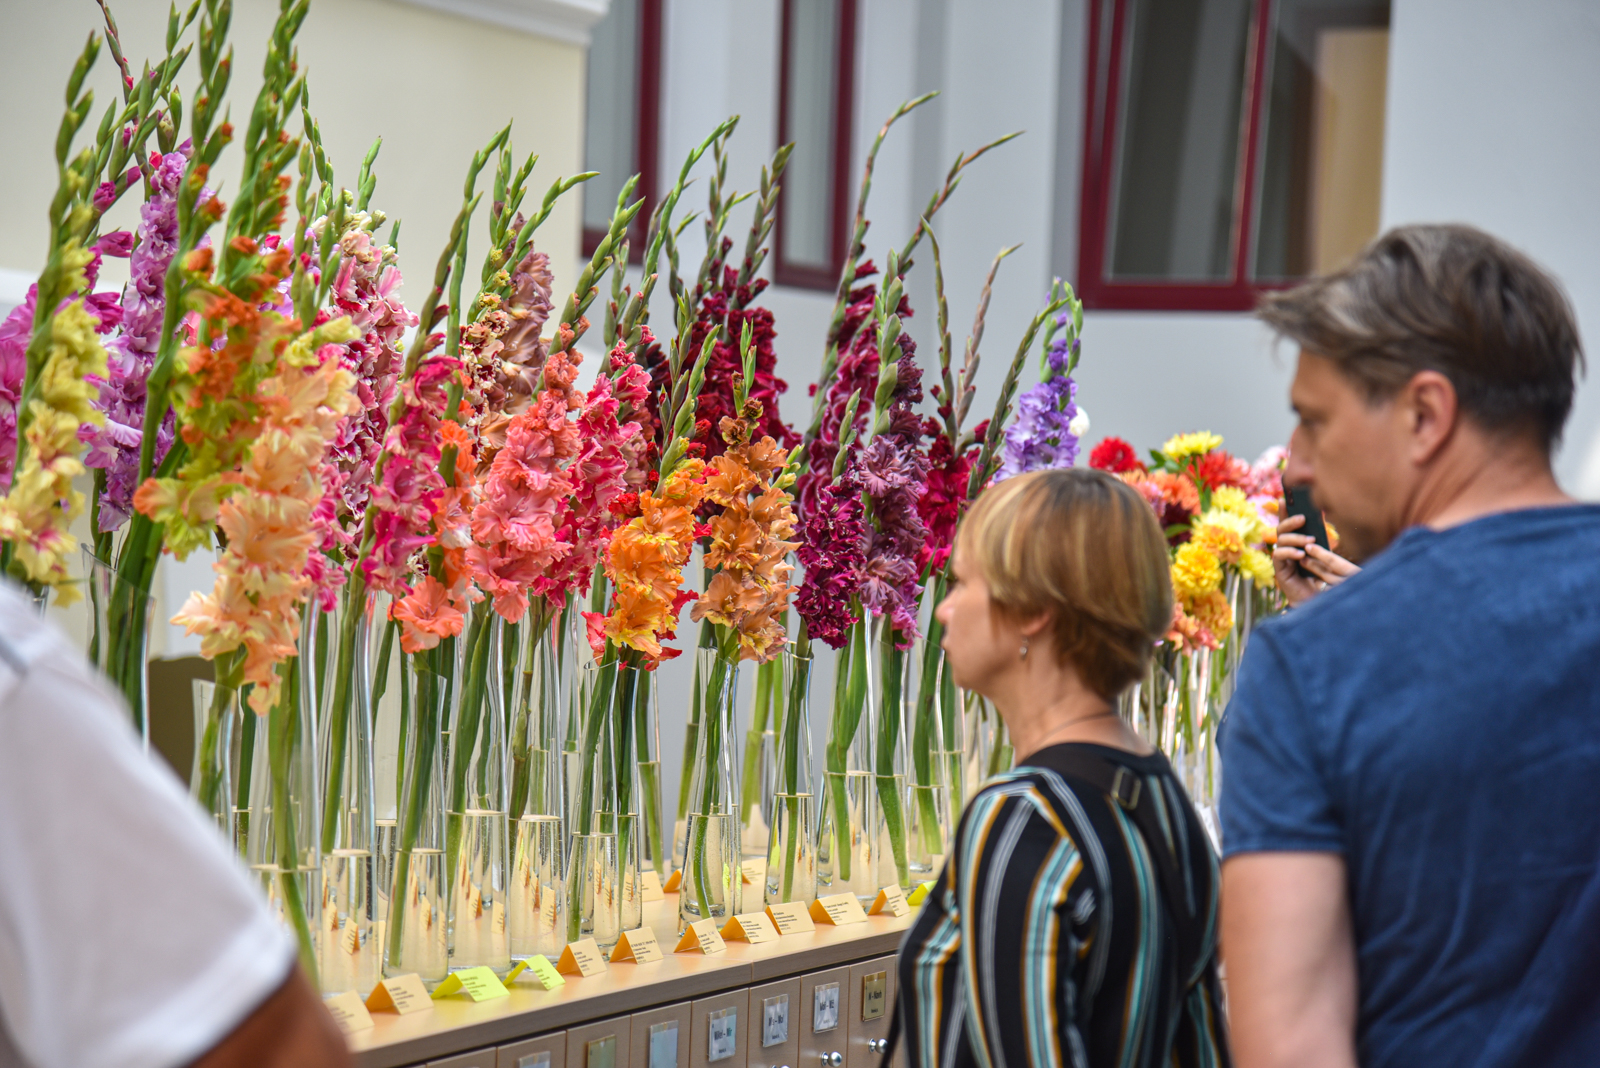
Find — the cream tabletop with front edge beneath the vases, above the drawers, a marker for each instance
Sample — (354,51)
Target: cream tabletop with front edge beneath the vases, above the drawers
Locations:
(458,1024)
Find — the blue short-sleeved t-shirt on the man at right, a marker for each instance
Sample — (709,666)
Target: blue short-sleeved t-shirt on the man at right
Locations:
(1436,722)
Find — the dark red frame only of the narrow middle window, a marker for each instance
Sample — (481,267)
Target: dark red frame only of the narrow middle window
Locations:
(809,276)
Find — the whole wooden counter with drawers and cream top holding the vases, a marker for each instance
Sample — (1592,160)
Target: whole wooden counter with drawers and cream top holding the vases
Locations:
(550,1029)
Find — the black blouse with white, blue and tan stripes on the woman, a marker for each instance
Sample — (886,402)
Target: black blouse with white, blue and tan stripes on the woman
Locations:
(1046,941)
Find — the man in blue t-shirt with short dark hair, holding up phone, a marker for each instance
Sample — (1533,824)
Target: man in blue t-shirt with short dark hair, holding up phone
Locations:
(1410,827)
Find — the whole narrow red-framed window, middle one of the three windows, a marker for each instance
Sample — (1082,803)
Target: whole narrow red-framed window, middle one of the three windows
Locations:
(815,106)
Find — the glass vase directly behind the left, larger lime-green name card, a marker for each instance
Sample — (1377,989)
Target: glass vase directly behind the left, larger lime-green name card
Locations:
(476,824)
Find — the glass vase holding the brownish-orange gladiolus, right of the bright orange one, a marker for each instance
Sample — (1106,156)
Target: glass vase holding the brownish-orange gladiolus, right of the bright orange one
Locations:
(713,879)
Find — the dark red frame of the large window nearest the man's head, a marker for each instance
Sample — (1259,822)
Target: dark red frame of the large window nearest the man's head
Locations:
(1108,49)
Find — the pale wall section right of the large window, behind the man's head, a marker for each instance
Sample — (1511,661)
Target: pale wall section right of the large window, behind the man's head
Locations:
(1492,122)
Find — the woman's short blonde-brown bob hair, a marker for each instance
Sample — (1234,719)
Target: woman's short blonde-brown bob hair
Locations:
(1084,549)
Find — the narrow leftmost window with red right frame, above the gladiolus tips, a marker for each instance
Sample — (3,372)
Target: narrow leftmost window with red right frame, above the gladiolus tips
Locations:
(623,127)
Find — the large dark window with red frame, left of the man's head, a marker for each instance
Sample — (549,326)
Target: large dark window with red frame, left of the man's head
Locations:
(1231,146)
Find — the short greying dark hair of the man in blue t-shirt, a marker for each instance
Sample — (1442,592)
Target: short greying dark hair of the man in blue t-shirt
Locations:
(1450,300)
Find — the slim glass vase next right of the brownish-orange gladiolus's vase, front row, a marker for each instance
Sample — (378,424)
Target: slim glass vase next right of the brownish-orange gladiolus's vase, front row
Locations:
(791,858)
